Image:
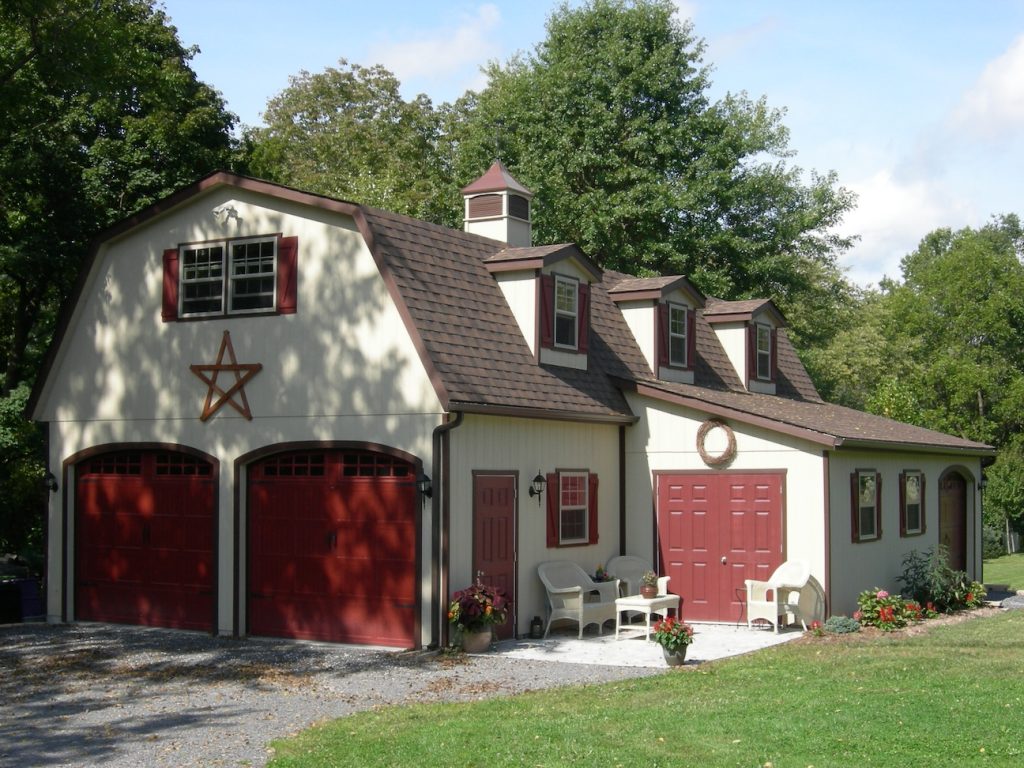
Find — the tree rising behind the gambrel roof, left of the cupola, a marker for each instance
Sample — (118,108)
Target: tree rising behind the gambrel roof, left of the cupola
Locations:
(347,133)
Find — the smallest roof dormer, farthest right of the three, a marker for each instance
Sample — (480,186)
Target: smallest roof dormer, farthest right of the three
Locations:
(748,332)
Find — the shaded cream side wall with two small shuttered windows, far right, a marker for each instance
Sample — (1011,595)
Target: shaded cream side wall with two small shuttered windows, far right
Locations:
(865,566)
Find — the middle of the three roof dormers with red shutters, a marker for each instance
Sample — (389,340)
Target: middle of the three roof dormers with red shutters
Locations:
(662,315)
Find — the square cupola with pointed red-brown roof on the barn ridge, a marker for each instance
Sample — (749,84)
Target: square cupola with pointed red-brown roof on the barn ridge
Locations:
(498,207)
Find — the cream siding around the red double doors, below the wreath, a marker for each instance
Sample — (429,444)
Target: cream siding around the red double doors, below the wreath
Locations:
(665,440)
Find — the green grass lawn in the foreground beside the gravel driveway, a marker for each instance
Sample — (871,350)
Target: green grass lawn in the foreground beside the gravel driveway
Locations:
(953,696)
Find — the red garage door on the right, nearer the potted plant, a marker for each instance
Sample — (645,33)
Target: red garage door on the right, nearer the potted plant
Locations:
(332,548)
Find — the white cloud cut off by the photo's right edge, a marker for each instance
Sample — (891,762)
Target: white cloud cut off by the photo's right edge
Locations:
(994,108)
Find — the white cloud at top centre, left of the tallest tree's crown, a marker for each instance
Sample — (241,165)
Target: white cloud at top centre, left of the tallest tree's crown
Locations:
(445,52)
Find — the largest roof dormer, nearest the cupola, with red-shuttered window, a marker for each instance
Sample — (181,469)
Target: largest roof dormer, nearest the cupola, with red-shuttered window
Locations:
(548,290)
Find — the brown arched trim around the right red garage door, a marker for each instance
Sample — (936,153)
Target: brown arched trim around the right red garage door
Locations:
(242,509)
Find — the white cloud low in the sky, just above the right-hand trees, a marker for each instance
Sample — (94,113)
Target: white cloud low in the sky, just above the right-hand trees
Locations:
(892,217)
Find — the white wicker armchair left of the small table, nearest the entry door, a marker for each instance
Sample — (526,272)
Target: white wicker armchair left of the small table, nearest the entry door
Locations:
(572,595)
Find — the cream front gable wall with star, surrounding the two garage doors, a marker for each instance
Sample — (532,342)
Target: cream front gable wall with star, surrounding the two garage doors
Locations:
(344,368)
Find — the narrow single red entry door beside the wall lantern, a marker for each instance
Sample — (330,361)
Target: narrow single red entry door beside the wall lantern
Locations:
(494,538)
